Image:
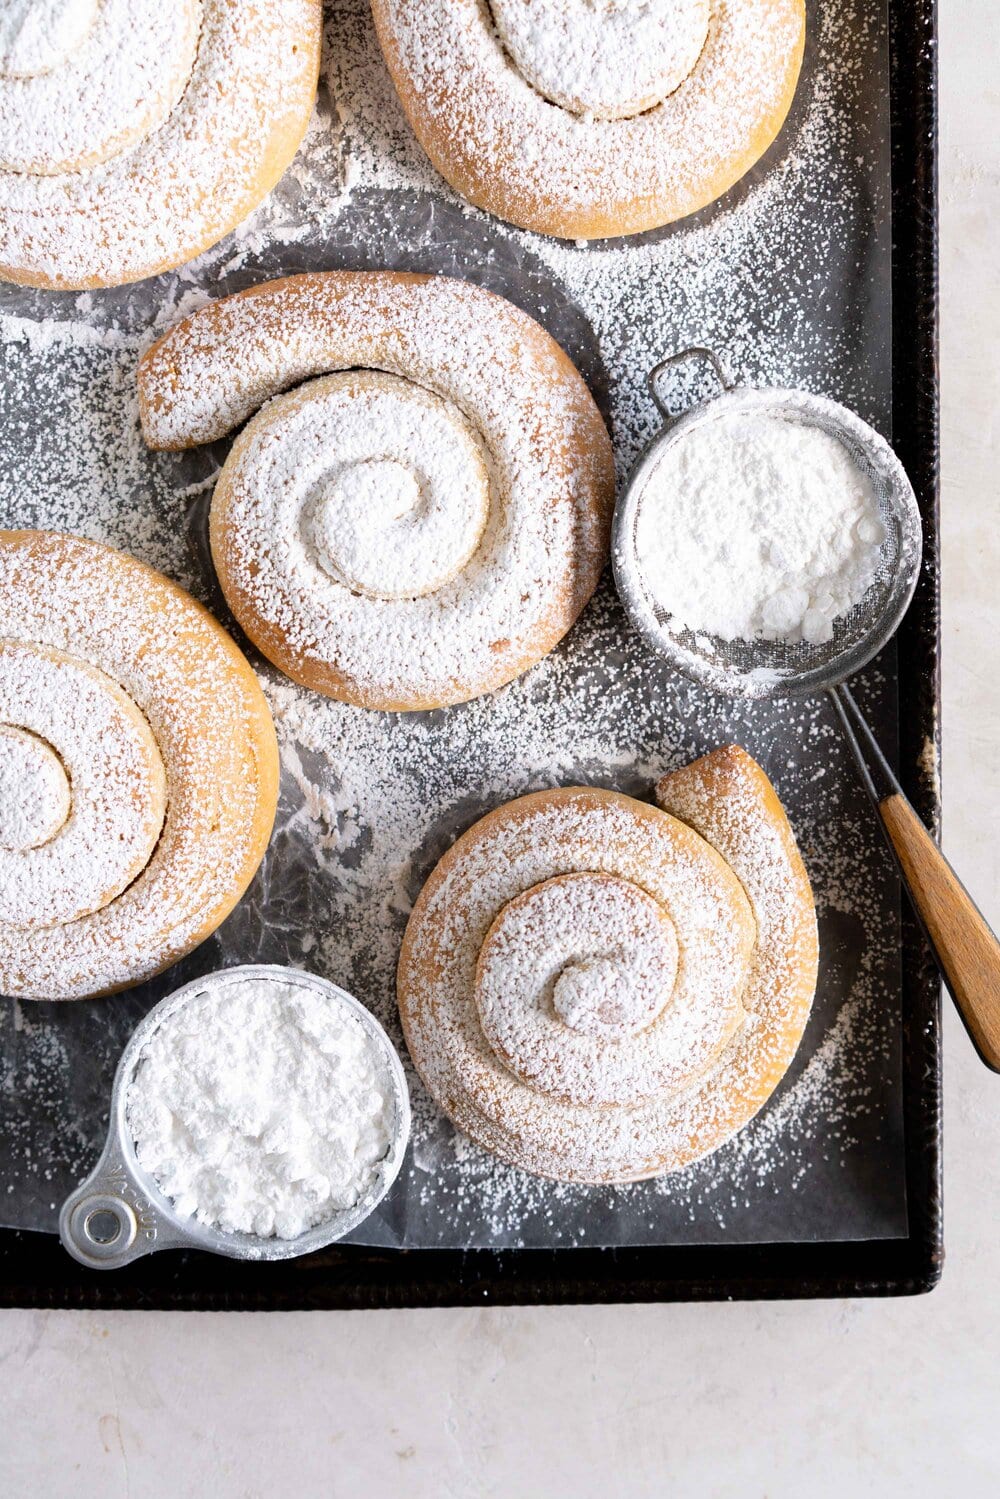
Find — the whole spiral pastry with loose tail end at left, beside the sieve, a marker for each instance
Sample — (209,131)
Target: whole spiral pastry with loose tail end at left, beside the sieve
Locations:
(421,524)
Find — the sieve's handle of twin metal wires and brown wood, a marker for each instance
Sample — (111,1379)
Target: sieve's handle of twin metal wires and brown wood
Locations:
(965,948)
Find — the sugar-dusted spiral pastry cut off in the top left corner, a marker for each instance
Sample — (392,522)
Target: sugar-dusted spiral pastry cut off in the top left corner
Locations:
(136,134)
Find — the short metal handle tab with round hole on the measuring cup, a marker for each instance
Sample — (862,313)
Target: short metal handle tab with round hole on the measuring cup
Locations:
(109,1221)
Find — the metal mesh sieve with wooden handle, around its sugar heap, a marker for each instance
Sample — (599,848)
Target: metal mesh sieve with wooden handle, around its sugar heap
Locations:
(965,948)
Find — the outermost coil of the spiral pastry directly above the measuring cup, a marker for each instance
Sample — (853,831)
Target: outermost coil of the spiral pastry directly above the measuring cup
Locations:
(214,731)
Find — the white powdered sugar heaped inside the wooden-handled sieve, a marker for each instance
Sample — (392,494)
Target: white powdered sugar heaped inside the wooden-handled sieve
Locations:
(756,527)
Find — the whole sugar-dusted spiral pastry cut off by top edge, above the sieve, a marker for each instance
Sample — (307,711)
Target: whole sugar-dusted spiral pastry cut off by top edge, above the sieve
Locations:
(593,118)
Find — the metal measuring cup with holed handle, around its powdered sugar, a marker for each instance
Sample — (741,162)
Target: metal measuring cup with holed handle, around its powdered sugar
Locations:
(119,1213)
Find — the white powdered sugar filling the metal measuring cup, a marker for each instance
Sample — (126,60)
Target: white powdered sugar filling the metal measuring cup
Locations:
(262,1107)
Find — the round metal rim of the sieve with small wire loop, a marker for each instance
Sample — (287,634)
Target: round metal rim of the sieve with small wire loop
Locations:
(815,410)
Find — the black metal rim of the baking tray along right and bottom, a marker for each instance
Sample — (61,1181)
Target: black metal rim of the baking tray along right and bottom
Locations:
(35,1270)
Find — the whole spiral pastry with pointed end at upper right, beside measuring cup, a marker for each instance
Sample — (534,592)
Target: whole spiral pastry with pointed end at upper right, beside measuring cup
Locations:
(599,990)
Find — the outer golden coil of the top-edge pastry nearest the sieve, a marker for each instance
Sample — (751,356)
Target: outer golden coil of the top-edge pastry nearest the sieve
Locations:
(515,155)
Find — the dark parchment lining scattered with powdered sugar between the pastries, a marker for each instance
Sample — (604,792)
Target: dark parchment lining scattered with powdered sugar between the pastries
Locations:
(789,278)
